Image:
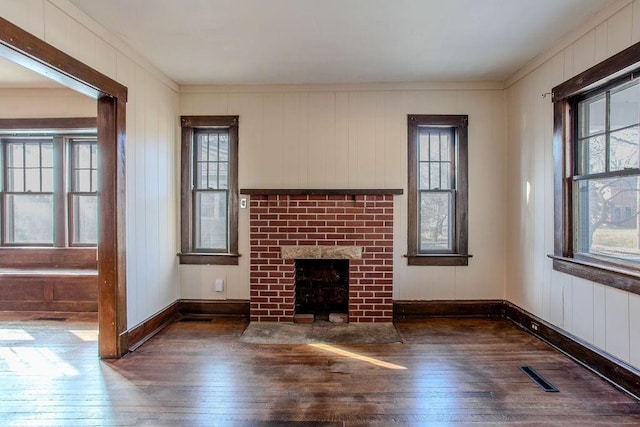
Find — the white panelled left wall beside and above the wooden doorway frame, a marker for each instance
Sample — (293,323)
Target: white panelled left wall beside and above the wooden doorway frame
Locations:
(152,111)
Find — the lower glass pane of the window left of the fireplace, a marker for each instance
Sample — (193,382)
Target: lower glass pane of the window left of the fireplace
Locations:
(210,220)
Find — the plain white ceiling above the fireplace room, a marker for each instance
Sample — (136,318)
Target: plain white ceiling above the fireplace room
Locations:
(339,41)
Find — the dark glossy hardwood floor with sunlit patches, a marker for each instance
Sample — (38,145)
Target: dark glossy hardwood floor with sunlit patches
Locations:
(448,372)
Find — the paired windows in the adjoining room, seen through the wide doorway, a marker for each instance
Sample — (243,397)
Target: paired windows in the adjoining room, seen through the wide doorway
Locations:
(36,184)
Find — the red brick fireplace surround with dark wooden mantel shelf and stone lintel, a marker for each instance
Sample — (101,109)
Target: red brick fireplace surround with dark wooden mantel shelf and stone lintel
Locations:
(356,225)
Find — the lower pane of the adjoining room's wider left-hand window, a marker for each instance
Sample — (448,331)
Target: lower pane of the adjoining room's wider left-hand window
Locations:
(29,219)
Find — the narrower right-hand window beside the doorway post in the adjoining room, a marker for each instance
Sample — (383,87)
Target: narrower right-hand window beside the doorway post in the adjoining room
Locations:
(83,194)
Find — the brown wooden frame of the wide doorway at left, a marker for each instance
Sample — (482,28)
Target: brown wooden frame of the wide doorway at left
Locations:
(25,49)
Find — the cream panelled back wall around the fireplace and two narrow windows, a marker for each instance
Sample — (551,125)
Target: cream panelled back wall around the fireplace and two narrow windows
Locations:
(356,137)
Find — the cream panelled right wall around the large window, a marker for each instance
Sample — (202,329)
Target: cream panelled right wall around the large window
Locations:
(603,316)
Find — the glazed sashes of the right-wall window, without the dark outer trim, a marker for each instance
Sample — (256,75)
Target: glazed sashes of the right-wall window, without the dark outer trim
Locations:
(606,180)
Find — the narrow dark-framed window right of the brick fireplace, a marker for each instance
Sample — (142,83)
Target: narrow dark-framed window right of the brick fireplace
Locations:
(437,190)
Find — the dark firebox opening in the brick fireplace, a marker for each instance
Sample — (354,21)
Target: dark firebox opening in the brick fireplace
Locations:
(322,287)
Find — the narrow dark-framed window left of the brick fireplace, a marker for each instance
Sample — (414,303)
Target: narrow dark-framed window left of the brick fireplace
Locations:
(209,223)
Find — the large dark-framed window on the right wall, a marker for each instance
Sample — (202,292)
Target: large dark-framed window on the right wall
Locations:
(597,173)
